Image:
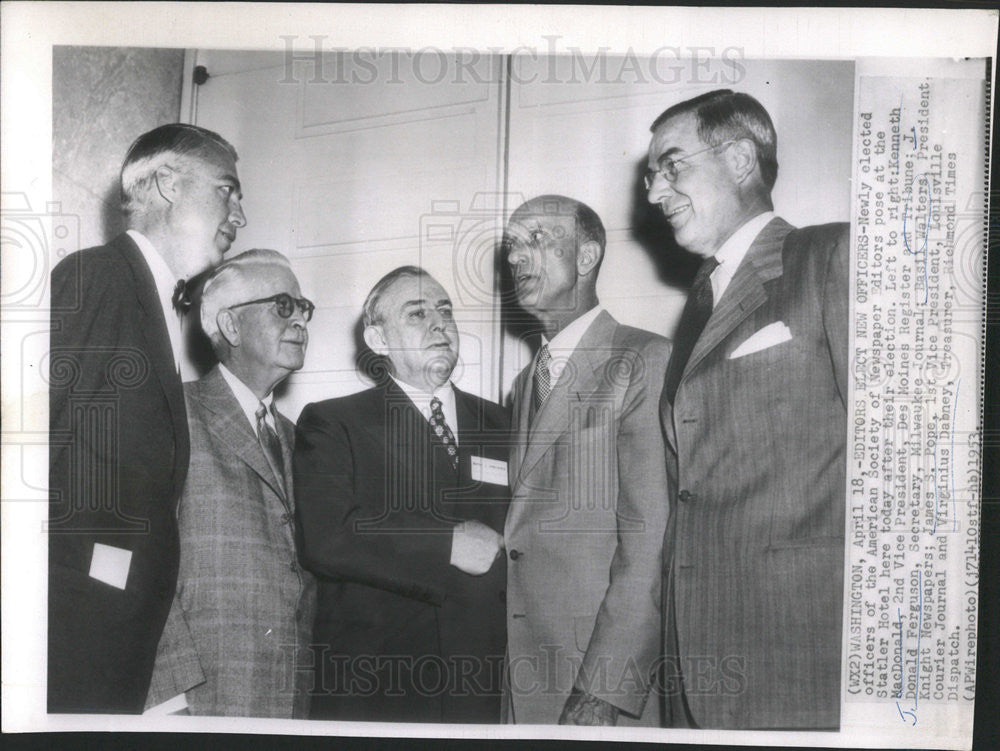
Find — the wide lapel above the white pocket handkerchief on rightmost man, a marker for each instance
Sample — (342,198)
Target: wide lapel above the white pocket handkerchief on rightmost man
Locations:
(745,292)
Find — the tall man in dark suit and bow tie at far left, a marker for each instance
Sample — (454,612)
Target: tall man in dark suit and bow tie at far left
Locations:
(118,429)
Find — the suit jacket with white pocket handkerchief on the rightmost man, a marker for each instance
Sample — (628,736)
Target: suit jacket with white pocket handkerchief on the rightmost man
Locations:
(758,464)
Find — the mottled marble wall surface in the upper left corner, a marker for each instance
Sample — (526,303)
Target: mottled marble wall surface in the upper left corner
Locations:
(102,99)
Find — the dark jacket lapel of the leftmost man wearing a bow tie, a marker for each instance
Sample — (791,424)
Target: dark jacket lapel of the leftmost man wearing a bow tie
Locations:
(157,342)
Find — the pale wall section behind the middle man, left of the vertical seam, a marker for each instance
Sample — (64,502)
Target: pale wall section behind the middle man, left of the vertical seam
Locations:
(350,180)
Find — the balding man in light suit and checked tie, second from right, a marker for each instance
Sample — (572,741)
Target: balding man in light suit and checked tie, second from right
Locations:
(584,533)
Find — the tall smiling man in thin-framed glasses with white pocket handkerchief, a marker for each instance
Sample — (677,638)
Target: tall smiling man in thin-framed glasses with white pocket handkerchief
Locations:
(754,409)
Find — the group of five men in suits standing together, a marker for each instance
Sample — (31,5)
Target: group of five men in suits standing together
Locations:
(653,535)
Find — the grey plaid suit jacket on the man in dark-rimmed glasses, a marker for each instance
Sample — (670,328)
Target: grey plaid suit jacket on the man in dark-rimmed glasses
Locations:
(243,610)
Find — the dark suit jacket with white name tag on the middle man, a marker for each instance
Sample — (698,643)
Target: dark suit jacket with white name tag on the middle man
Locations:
(408,636)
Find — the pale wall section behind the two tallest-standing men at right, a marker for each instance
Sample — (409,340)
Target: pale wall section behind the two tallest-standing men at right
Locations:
(586,136)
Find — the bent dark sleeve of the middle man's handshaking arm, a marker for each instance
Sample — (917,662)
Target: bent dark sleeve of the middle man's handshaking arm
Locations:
(413,564)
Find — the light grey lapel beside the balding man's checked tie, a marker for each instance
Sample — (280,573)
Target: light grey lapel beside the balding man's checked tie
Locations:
(582,376)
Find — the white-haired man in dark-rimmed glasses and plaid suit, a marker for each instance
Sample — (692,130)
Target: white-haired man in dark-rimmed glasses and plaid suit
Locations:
(243,608)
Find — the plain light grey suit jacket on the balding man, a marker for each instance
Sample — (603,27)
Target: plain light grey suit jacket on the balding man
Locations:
(584,531)
